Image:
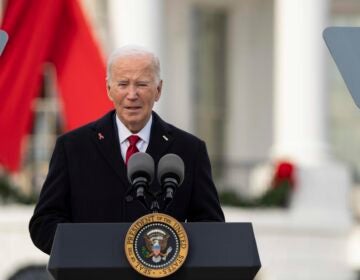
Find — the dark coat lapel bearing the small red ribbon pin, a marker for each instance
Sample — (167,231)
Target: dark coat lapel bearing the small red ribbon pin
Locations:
(107,141)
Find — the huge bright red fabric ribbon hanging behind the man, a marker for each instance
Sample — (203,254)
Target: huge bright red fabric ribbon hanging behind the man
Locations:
(47,31)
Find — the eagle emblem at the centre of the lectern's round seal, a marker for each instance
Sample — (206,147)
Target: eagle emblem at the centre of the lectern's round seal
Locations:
(156,243)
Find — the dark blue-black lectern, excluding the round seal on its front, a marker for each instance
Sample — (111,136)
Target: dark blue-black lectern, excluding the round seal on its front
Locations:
(96,251)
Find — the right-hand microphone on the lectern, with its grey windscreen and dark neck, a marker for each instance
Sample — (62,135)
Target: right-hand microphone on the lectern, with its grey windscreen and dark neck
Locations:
(170,174)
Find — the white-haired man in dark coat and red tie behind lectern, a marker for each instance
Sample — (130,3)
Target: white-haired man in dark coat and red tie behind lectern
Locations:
(87,179)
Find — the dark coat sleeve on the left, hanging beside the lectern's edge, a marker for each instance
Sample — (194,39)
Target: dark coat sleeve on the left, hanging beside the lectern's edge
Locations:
(53,206)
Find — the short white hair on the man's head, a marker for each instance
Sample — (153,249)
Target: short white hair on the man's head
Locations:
(133,50)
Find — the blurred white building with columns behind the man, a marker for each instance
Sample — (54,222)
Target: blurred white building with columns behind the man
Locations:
(254,79)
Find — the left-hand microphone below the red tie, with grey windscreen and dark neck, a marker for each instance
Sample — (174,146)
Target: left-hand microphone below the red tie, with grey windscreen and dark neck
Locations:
(140,171)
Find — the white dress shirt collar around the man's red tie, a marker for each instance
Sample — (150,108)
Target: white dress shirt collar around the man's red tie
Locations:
(124,134)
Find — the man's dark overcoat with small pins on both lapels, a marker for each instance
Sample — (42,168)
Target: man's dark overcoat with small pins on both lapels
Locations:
(87,180)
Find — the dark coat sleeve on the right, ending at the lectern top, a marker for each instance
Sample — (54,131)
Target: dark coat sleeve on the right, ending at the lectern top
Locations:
(204,205)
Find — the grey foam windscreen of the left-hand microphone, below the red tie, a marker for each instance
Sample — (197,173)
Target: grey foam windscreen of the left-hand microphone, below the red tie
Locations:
(140,164)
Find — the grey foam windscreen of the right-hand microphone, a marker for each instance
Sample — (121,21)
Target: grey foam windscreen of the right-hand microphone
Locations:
(171,165)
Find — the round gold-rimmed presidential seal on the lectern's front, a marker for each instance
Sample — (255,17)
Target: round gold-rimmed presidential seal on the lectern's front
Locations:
(156,245)
